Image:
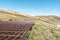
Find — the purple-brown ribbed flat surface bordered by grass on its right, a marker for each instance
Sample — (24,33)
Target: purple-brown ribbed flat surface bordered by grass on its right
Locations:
(14,30)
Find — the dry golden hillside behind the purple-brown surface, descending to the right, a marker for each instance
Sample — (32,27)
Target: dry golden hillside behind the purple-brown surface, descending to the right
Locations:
(7,15)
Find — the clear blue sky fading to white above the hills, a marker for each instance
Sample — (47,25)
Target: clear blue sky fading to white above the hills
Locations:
(32,7)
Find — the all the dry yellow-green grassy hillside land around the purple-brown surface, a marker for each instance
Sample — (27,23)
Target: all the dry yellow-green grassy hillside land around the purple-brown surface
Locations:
(45,28)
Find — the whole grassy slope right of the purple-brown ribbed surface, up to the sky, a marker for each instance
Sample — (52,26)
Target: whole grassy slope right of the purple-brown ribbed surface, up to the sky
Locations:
(45,28)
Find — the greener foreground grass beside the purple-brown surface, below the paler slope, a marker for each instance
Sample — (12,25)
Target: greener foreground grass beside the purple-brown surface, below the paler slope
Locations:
(42,32)
